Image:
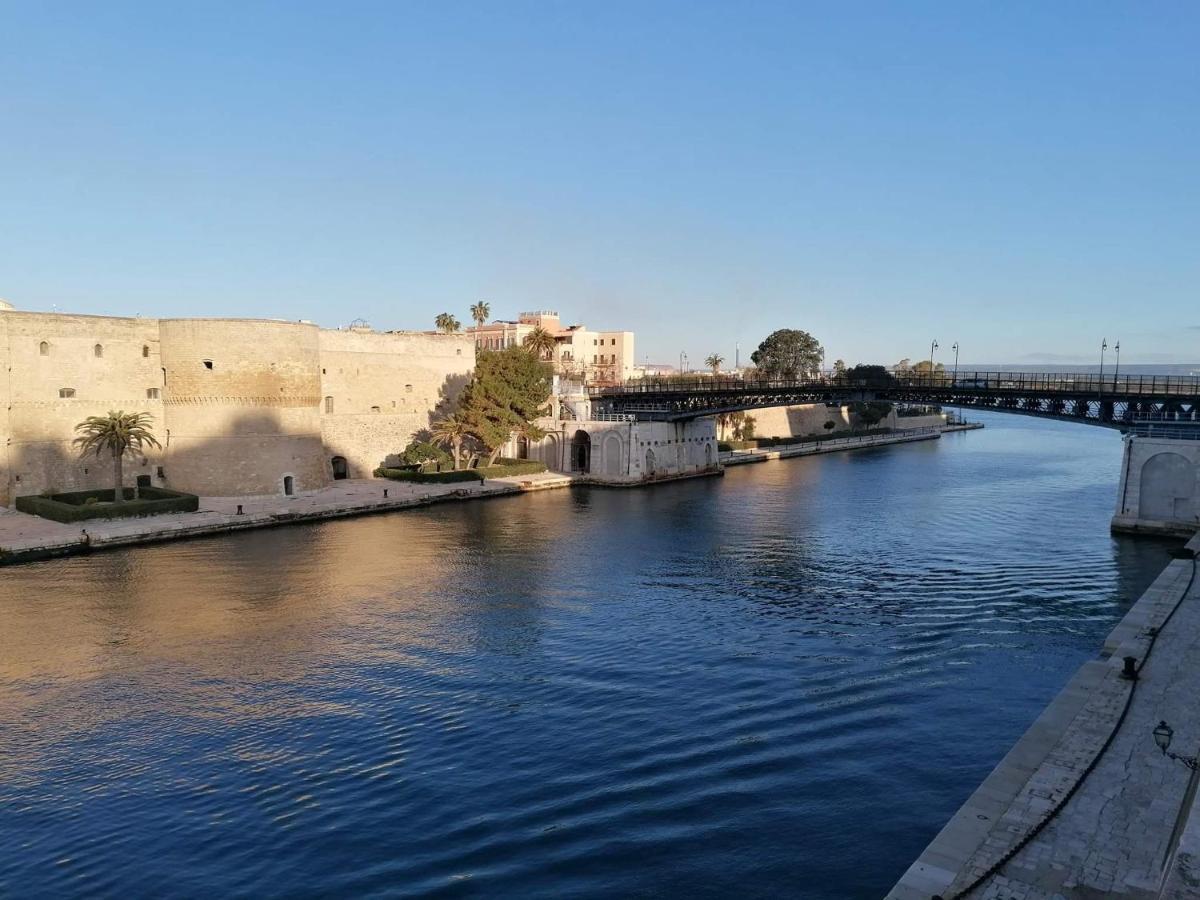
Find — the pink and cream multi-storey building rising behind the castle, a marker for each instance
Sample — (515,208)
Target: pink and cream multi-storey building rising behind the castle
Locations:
(580,353)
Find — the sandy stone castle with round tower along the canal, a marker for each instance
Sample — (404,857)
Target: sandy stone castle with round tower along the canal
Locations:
(241,406)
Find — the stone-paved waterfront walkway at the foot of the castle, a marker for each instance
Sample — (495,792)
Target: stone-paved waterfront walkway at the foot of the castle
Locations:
(23,537)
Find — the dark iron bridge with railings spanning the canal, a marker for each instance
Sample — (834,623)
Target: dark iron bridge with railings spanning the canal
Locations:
(1113,401)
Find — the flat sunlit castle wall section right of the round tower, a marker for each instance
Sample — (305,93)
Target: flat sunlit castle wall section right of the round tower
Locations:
(380,391)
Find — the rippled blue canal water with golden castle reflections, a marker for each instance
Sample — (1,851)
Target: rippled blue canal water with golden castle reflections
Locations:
(779,683)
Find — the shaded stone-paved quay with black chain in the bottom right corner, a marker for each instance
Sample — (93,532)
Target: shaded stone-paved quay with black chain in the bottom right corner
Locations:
(1085,806)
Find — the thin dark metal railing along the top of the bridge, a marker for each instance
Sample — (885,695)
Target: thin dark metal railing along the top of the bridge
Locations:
(1075,383)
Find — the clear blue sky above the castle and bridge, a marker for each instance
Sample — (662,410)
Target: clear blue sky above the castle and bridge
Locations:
(1019,178)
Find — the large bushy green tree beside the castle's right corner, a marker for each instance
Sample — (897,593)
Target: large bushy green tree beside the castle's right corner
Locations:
(509,389)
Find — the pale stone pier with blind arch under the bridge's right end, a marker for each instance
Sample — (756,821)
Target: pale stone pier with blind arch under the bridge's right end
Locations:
(1160,489)
